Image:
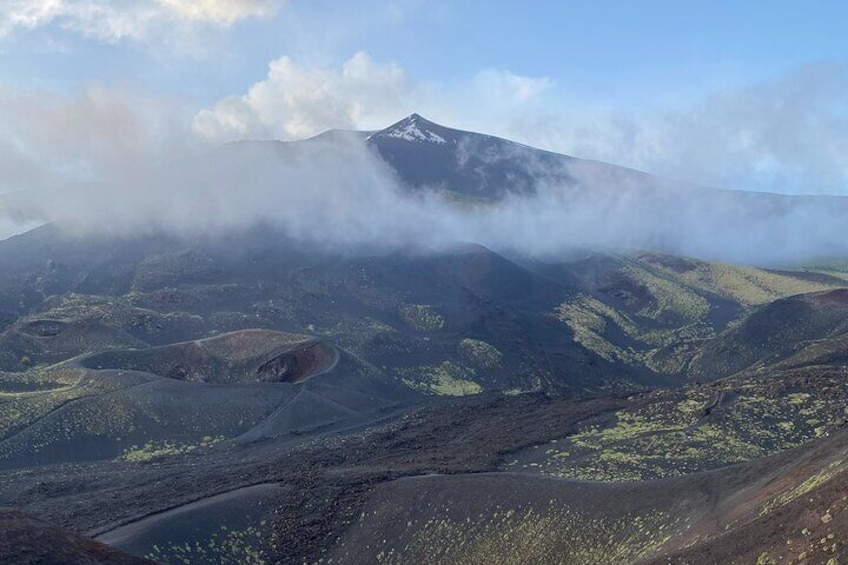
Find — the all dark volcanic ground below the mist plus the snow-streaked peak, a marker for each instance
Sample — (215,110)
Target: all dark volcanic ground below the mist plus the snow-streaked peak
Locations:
(251,399)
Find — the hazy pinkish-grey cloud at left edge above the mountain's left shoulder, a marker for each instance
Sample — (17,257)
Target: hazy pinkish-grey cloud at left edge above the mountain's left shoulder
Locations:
(46,138)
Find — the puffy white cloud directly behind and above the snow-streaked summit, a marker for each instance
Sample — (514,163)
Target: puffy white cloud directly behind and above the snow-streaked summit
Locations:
(294,102)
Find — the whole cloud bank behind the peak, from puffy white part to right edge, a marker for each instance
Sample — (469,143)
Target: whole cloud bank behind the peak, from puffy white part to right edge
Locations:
(785,135)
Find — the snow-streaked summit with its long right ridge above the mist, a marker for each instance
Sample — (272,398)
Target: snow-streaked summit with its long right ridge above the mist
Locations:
(426,154)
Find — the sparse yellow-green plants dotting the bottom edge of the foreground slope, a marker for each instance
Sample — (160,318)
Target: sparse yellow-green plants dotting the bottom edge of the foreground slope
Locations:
(557,534)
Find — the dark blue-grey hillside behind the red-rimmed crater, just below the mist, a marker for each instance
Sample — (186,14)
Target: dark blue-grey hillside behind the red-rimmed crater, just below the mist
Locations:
(449,324)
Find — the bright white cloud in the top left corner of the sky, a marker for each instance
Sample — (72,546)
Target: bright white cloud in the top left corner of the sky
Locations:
(114,20)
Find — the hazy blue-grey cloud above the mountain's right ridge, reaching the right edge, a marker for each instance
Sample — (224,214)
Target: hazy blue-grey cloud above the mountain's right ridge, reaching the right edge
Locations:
(785,135)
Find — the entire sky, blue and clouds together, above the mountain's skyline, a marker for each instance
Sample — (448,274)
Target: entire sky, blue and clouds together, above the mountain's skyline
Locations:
(736,94)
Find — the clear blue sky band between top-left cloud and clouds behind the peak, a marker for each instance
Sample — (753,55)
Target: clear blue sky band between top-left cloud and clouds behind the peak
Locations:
(613,49)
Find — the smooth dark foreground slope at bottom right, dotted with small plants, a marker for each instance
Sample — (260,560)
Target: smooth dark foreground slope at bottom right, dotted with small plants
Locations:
(782,509)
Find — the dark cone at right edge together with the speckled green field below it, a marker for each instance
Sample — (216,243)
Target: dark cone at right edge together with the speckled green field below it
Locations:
(786,386)
